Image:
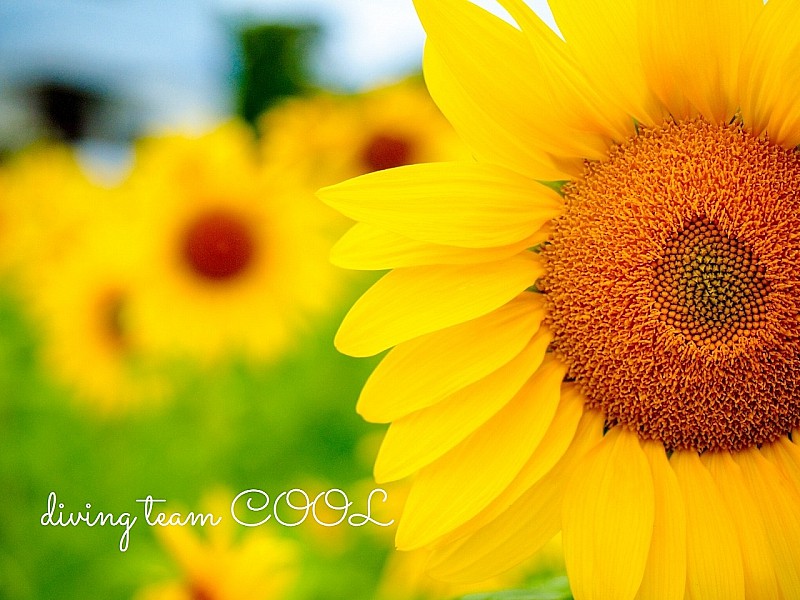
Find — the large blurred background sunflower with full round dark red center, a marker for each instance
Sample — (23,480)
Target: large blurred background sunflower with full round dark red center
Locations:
(234,250)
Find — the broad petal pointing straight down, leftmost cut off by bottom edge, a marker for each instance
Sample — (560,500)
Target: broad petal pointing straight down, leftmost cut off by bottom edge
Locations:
(609,510)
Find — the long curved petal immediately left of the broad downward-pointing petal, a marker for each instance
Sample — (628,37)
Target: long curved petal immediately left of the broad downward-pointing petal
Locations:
(522,528)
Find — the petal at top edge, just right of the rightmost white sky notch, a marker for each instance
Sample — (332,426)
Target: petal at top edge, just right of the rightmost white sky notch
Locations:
(602,36)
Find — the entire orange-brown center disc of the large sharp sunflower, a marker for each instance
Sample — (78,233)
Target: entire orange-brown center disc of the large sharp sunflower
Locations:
(673,282)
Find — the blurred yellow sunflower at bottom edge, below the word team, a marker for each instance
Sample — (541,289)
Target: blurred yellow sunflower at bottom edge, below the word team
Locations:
(222,566)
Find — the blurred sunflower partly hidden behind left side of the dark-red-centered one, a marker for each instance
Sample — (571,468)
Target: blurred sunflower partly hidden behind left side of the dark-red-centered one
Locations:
(81,309)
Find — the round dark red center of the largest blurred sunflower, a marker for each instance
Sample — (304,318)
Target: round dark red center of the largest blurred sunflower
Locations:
(218,246)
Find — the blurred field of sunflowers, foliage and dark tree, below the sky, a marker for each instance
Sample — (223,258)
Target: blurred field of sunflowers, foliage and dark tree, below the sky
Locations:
(176,421)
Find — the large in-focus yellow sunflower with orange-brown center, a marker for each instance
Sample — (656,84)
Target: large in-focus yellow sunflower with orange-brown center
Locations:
(619,361)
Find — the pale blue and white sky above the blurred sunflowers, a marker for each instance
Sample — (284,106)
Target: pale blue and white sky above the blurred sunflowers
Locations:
(171,59)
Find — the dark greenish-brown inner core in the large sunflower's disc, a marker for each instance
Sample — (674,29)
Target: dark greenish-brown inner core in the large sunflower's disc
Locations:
(708,286)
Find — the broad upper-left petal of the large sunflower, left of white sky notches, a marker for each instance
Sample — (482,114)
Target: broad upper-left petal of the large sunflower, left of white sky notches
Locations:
(533,93)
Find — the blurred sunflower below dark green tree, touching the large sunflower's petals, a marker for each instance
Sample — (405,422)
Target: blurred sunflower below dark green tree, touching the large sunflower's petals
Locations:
(328,138)
